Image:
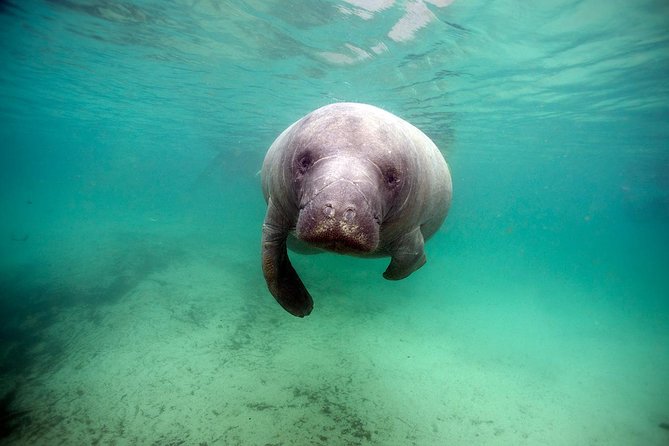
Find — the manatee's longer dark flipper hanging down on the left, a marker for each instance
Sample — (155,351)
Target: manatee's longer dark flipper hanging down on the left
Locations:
(282,279)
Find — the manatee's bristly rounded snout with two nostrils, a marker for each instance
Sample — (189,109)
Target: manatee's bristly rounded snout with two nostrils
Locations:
(339,219)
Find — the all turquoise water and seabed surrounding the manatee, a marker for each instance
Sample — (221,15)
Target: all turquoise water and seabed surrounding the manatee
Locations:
(133,308)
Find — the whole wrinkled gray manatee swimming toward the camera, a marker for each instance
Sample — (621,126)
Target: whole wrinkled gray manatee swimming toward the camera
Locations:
(352,179)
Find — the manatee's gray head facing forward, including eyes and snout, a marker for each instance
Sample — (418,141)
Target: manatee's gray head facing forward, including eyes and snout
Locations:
(348,175)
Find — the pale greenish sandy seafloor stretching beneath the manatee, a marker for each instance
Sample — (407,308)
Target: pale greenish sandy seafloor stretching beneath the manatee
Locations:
(184,345)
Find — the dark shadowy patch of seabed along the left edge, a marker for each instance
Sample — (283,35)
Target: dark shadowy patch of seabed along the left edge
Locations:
(32,300)
